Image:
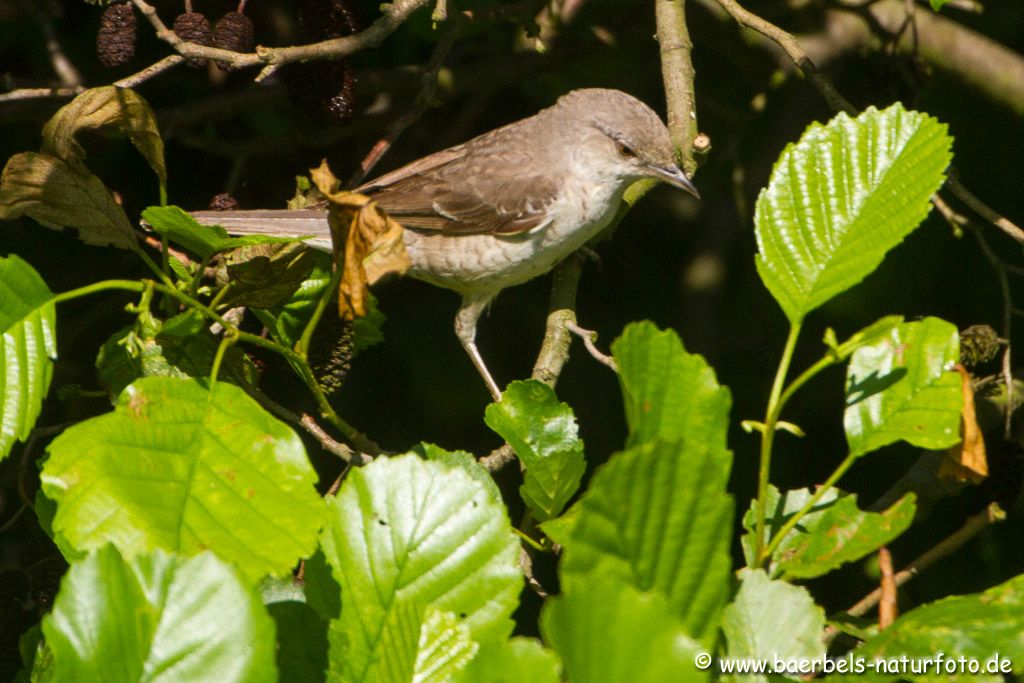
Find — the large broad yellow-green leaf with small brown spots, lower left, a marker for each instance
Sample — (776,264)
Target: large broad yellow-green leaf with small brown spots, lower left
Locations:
(182,468)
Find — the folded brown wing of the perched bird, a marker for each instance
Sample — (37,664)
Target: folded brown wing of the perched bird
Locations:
(465,190)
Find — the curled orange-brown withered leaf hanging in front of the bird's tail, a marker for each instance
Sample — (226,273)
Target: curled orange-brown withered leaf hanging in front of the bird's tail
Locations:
(371,240)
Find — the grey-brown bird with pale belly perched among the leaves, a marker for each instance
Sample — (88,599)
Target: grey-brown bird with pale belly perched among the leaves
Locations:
(506,206)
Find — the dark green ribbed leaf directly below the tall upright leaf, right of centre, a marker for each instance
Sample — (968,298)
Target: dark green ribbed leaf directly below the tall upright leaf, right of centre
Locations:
(658,517)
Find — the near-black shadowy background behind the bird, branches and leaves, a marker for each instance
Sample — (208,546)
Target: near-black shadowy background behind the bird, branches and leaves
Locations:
(680,264)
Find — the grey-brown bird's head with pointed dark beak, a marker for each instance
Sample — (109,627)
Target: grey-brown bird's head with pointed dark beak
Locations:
(633,138)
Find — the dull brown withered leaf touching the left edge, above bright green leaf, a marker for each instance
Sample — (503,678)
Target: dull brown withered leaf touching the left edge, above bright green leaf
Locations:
(56,195)
